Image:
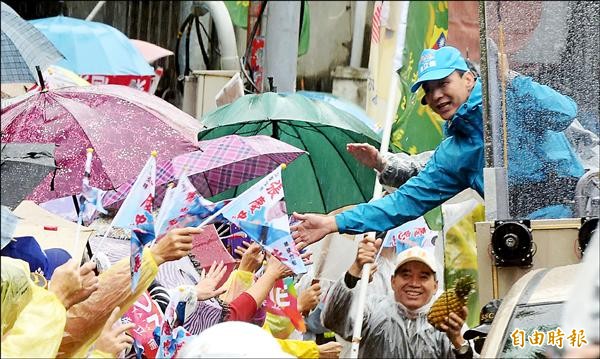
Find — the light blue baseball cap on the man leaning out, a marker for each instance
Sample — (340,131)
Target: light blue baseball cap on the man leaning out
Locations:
(437,64)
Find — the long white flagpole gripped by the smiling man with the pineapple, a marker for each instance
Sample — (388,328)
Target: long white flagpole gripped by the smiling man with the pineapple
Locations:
(385,140)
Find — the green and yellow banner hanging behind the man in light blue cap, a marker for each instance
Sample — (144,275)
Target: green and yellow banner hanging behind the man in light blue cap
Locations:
(416,128)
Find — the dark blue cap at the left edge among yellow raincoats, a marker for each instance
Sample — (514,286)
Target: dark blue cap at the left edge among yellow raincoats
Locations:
(40,261)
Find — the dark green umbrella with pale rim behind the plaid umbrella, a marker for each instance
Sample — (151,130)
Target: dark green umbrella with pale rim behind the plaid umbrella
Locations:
(324,180)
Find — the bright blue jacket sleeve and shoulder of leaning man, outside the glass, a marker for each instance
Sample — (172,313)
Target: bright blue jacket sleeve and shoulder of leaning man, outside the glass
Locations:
(456,164)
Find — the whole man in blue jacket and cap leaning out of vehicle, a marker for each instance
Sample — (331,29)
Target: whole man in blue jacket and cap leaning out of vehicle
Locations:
(538,153)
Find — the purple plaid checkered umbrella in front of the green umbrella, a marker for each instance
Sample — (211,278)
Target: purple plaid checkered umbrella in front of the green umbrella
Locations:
(221,163)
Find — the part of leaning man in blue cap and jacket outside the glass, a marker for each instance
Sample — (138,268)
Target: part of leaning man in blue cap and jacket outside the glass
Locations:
(454,93)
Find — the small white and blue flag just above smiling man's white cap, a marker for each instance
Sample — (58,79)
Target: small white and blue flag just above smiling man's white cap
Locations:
(410,234)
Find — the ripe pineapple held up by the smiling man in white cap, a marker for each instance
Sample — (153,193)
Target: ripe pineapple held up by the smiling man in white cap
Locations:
(452,300)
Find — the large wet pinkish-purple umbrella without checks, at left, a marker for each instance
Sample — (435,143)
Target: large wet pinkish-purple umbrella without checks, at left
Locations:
(121,124)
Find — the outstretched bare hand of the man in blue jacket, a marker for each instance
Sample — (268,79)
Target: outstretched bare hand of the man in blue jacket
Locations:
(312,228)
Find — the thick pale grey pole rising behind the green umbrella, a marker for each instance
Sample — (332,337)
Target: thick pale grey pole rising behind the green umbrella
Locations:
(281,45)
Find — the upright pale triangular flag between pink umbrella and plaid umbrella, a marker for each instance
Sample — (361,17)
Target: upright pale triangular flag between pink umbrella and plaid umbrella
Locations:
(136,210)
